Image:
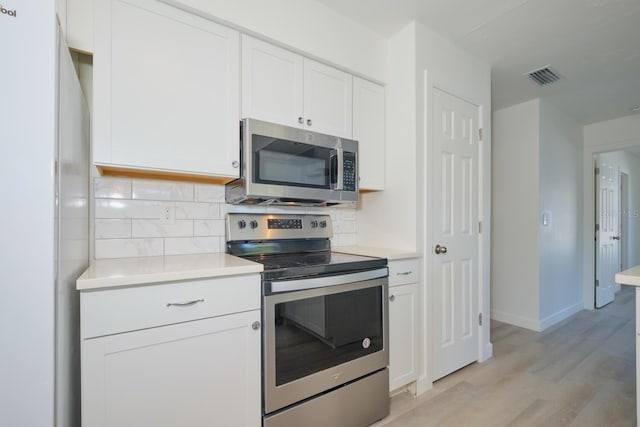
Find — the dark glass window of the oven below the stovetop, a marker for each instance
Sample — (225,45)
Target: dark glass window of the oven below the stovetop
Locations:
(317,333)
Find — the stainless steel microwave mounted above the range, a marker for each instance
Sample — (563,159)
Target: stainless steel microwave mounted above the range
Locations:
(286,165)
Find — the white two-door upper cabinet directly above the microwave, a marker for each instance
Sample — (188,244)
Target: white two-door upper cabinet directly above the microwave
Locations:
(283,87)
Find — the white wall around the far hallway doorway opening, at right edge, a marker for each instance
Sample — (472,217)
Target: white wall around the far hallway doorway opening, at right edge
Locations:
(610,135)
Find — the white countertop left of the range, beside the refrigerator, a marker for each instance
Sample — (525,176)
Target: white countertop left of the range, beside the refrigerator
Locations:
(131,271)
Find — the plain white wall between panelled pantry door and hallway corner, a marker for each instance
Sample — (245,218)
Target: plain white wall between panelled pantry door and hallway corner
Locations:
(515,188)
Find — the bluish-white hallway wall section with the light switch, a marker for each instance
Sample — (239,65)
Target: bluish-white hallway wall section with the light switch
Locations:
(559,243)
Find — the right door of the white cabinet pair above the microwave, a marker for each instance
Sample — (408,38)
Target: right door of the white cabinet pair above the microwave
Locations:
(328,99)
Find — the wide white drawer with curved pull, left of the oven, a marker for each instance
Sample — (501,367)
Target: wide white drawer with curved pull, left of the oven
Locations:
(115,310)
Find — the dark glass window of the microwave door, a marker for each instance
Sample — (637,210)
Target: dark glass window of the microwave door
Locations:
(278,161)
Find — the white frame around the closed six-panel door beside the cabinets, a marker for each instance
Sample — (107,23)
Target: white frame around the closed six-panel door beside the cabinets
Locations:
(426,85)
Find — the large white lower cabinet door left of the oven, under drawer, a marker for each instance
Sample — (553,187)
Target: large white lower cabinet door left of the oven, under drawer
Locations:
(200,373)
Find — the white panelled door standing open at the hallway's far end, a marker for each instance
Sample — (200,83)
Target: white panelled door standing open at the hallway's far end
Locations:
(607,232)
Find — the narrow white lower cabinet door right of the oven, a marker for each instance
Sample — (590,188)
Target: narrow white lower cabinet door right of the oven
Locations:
(403,335)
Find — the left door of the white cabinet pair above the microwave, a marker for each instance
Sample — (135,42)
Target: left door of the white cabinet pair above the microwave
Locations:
(271,83)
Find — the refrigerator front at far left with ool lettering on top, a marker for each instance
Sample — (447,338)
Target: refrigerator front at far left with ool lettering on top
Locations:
(27,142)
